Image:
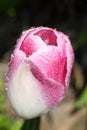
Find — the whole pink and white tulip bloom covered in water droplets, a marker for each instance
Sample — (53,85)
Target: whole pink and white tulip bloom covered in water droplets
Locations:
(39,71)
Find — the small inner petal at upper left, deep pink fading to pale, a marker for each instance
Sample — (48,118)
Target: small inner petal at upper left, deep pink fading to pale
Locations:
(31,44)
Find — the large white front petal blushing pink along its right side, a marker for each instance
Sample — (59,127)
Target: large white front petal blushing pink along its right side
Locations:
(28,96)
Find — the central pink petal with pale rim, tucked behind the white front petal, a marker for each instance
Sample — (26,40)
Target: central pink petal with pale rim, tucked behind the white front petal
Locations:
(52,62)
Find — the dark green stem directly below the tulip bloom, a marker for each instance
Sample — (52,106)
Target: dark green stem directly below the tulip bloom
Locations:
(32,124)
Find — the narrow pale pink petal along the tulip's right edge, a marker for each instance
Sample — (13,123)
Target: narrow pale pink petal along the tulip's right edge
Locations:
(64,42)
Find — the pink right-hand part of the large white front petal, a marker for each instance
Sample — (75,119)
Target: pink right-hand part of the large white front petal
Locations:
(52,91)
